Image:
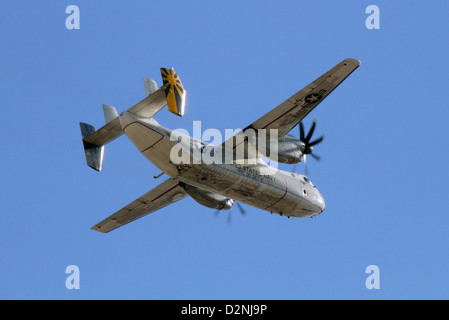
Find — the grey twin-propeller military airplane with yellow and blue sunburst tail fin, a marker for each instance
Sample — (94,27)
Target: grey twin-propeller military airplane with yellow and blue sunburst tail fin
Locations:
(213,184)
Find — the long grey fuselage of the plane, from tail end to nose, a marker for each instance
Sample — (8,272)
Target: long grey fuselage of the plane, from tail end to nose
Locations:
(258,185)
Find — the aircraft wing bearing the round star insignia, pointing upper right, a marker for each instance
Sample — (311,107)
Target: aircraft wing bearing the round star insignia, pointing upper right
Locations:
(290,112)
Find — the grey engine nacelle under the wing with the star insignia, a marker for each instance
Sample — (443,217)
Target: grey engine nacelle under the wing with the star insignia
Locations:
(289,150)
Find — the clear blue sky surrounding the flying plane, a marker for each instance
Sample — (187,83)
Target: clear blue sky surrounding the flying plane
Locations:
(383,173)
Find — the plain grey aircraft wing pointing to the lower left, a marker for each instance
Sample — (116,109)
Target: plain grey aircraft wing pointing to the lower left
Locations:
(164,194)
